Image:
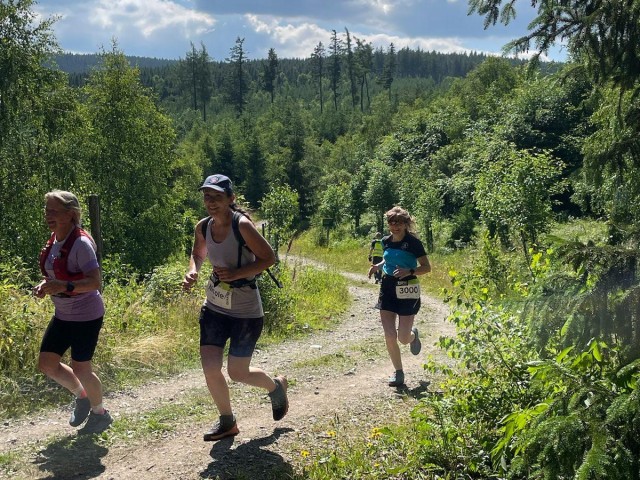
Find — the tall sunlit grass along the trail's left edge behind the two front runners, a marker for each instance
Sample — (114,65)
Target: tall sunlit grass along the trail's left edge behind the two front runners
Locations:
(150,328)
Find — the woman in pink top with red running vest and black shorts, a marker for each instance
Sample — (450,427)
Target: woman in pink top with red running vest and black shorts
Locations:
(71,277)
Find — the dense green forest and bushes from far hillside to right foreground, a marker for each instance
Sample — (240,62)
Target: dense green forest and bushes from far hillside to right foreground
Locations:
(491,155)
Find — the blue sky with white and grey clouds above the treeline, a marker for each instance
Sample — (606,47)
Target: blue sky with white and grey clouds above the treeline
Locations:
(166,28)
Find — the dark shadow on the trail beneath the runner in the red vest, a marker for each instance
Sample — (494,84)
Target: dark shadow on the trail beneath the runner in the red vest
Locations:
(73,457)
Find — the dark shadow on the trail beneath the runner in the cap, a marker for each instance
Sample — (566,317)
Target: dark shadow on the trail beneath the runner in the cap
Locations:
(247,460)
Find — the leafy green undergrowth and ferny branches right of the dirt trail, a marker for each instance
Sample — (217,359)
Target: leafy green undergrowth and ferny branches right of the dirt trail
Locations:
(521,402)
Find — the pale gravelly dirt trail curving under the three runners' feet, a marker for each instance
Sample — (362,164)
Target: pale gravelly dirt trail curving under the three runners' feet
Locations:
(327,398)
